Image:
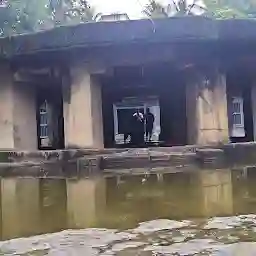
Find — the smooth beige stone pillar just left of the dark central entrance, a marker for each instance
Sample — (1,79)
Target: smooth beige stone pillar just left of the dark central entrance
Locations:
(82,110)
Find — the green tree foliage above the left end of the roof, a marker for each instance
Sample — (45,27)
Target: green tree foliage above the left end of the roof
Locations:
(22,16)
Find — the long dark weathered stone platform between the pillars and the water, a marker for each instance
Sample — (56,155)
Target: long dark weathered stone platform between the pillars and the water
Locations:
(77,162)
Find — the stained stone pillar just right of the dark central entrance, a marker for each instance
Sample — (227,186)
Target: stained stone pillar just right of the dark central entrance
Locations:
(207,116)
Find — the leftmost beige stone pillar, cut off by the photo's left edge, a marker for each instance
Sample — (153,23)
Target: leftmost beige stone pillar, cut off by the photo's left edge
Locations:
(18,123)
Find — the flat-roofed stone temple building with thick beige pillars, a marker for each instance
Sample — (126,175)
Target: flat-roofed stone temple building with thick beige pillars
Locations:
(76,86)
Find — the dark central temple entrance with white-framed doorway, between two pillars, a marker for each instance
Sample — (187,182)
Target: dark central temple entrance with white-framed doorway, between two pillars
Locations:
(158,88)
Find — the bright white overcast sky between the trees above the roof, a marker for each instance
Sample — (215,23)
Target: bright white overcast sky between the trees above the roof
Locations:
(132,7)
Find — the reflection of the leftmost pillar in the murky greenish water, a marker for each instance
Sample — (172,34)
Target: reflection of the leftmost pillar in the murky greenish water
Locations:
(20,207)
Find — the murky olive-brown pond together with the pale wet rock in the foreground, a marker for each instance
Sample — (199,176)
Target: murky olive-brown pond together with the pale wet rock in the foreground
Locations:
(207,212)
